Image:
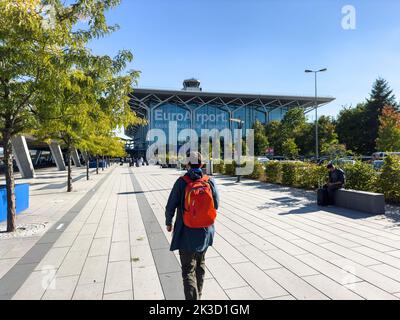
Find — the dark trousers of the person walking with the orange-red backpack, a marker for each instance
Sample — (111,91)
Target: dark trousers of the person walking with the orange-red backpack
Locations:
(193,271)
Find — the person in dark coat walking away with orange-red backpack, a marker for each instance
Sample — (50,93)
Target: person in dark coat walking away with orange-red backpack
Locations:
(195,198)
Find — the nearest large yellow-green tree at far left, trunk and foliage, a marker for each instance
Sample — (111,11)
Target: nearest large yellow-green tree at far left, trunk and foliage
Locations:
(33,50)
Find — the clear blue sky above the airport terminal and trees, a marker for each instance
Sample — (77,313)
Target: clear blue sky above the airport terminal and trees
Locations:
(260,46)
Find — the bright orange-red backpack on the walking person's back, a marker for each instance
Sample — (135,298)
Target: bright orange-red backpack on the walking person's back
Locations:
(199,210)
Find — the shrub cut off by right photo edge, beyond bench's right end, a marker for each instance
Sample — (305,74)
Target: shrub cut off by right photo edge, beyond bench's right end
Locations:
(389,179)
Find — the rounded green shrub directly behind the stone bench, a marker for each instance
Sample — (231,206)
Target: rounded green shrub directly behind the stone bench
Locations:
(361,176)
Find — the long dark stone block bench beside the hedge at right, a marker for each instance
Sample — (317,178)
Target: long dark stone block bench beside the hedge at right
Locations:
(369,202)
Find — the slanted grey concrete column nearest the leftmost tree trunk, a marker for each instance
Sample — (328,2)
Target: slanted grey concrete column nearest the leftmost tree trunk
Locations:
(22,157)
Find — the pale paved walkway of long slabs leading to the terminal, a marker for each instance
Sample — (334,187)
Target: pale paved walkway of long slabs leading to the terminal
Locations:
(107,240)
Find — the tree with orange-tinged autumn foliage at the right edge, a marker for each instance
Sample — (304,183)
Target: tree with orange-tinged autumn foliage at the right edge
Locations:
(389,130)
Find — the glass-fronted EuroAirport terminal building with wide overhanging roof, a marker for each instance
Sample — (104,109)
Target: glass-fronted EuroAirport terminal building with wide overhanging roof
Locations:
(193,108)
